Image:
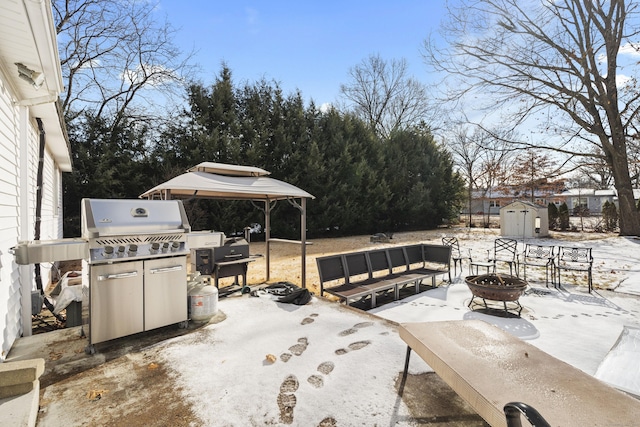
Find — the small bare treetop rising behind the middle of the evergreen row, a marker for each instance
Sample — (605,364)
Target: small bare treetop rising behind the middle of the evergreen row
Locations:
(385,96)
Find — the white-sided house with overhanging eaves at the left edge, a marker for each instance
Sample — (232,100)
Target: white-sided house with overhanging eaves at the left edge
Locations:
(30,121)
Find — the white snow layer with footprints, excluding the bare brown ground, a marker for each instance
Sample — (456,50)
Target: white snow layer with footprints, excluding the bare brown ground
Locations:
(323,364)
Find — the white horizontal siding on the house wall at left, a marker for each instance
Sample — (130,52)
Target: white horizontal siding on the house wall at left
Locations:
(18,174)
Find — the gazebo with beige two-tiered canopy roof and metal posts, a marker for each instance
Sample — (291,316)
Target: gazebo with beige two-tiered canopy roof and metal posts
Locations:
(235,182)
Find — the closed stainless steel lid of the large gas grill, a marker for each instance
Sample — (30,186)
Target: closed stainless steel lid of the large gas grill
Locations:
(117,217)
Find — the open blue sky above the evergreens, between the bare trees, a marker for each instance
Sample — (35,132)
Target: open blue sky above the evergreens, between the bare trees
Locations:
(305,45)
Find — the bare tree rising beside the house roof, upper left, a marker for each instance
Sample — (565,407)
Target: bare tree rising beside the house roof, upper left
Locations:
(117,57)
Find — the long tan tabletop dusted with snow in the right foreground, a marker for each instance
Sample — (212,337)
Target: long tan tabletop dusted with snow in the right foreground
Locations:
(489,368)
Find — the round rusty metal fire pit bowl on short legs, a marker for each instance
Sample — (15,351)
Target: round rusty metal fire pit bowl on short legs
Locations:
(497,287)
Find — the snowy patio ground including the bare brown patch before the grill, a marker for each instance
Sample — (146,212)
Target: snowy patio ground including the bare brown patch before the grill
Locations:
(334,365)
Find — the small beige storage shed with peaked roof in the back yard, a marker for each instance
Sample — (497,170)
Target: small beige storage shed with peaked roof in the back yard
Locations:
(524,219)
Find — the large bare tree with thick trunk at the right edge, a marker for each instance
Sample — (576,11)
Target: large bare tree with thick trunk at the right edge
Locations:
(557,59)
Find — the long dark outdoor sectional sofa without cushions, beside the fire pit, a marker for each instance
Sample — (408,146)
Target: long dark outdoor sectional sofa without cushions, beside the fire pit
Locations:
(355,276)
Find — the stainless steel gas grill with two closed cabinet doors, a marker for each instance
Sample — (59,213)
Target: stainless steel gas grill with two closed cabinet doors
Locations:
(136,266)
